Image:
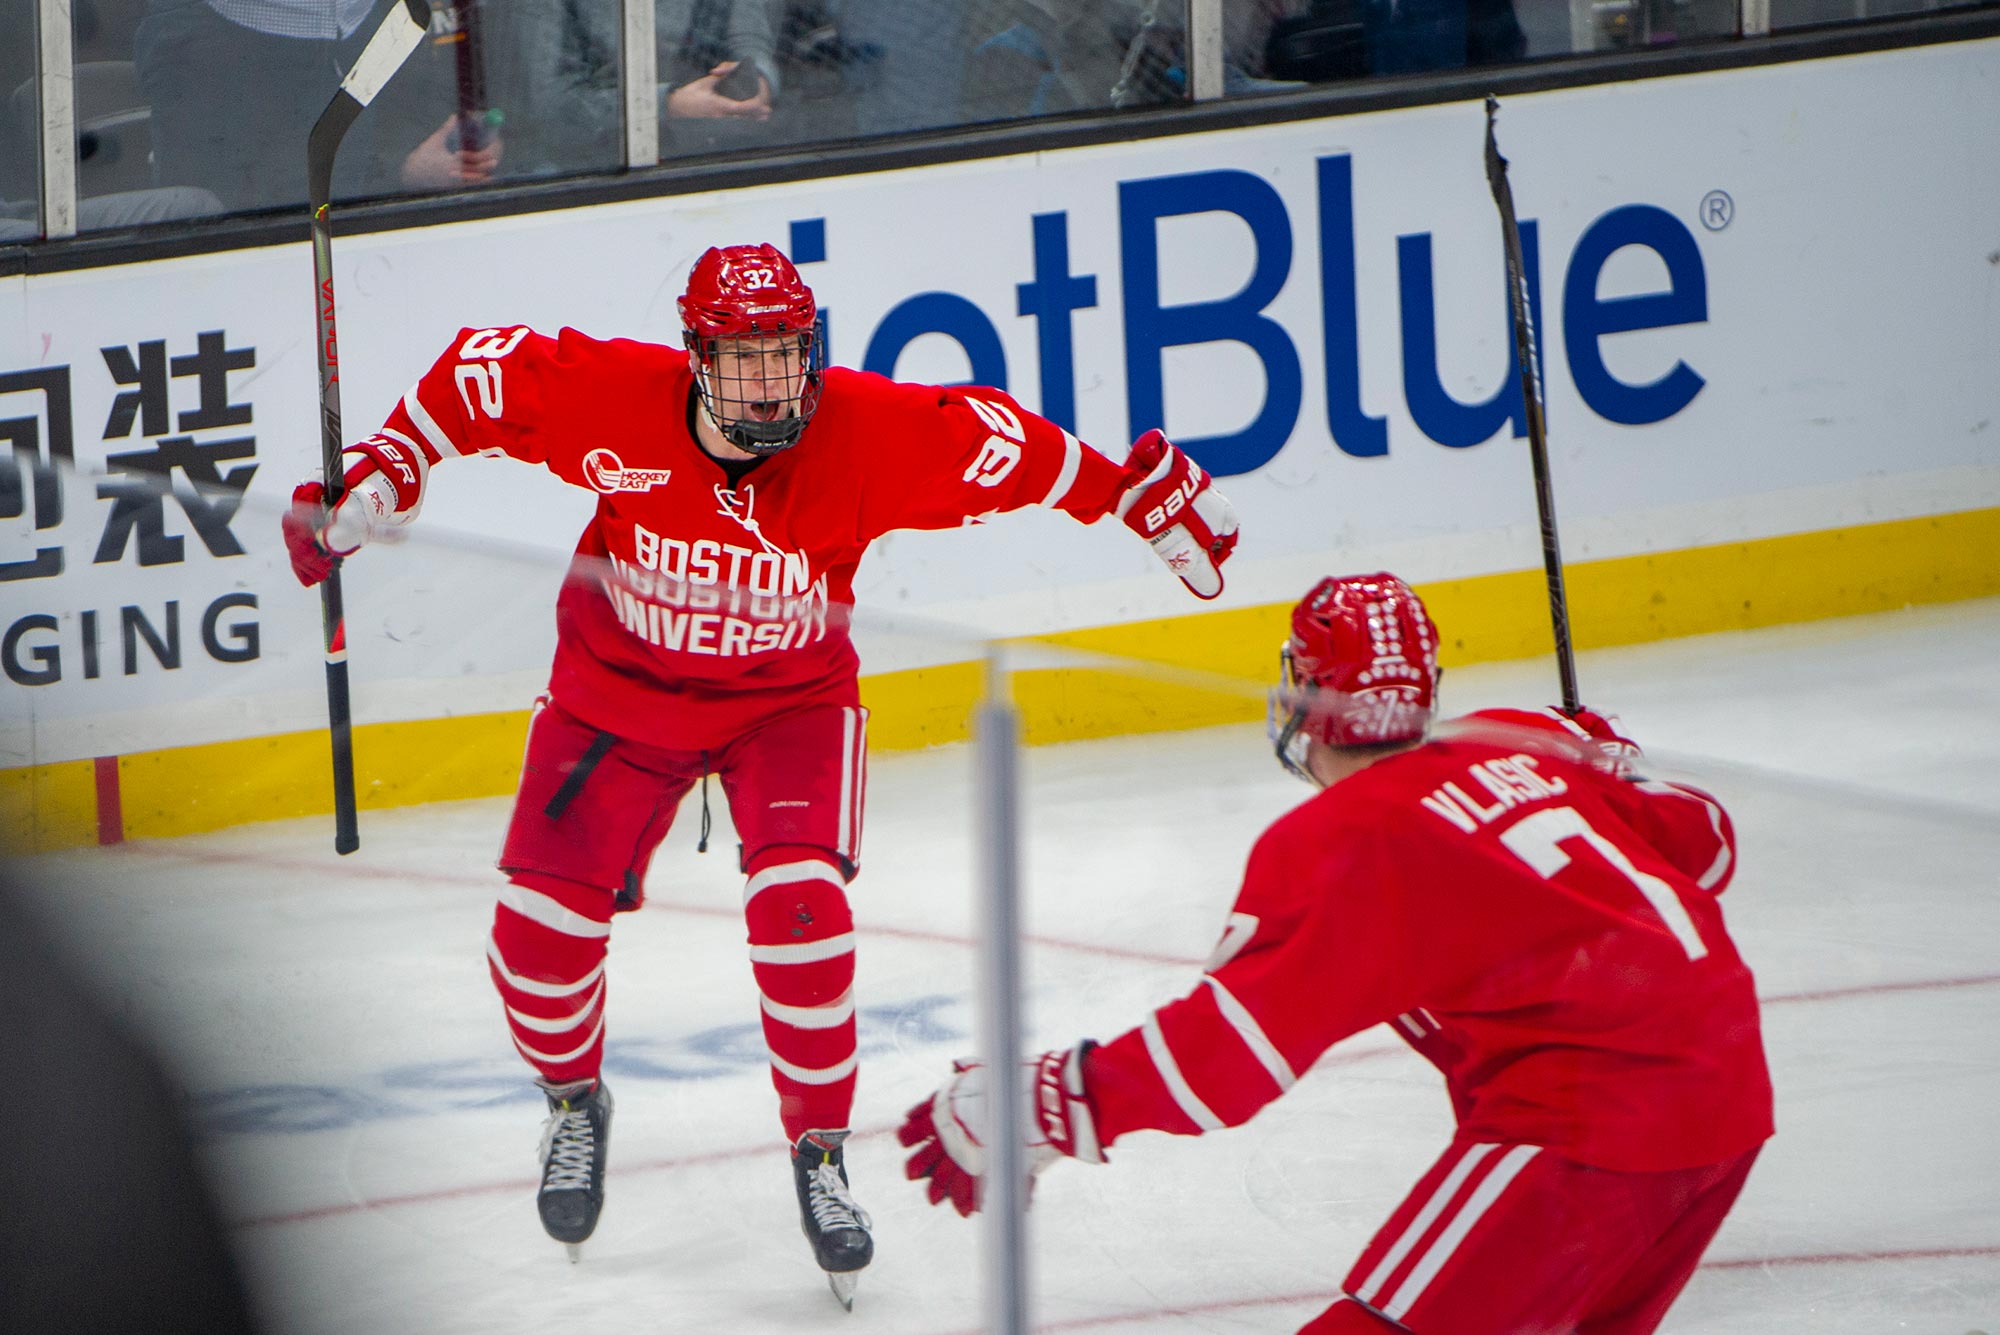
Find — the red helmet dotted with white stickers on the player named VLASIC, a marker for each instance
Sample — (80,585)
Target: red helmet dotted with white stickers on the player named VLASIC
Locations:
(1361,668)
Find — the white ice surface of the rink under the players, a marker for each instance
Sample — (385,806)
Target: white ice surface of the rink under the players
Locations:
(375,1134)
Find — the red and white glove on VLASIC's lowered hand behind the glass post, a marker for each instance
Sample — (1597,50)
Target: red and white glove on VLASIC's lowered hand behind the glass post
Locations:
(945,1130)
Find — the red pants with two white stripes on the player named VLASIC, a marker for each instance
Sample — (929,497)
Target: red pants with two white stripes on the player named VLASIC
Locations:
(1517,1240)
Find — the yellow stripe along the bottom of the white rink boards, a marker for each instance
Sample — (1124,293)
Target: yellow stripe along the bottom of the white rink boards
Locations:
(1175,672)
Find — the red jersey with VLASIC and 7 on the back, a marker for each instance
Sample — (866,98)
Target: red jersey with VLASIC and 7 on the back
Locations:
(1543,932)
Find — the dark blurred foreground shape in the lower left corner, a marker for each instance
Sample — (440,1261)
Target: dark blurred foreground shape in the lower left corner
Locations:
(109,1224)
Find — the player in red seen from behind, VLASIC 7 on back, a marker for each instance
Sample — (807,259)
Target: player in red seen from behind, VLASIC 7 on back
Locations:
(1529,914)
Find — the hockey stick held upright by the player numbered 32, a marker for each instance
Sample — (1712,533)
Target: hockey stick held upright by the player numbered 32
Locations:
(391,45)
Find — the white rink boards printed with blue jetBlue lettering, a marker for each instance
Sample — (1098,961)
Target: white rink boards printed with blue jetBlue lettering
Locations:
(1767,303)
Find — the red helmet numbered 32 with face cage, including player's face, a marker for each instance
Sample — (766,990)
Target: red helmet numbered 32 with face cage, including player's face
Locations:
(751,329)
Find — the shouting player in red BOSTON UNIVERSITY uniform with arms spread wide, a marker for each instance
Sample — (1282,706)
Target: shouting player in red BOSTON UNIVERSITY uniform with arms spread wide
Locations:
(701,633)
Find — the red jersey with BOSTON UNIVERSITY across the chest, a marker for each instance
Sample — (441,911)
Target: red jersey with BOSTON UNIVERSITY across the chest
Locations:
(695,609)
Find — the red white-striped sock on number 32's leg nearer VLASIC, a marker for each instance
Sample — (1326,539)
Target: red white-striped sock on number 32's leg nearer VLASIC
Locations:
(803,958)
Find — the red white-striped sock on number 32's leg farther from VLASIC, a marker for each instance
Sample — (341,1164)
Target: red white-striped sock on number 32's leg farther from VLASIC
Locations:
(547,960)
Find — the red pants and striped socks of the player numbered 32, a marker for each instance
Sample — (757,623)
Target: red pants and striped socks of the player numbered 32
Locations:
(591,812)
